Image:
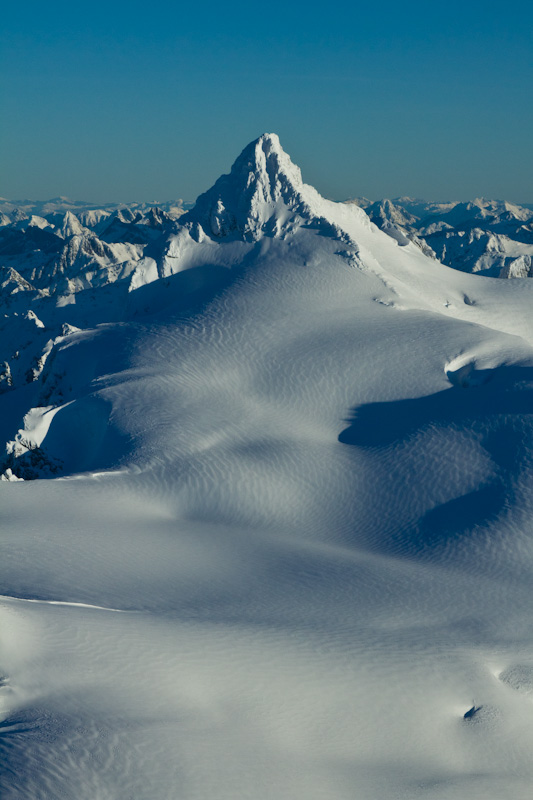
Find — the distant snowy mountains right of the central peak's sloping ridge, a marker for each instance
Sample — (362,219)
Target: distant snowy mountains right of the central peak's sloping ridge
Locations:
(489,237)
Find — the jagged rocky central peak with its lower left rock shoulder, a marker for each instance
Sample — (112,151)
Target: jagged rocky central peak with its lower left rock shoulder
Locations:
(263,196)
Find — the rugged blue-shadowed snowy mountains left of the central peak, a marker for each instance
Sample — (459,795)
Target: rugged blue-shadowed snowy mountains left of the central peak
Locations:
(58,256)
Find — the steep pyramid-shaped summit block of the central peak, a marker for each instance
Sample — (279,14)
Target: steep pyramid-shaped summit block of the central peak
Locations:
(263,193)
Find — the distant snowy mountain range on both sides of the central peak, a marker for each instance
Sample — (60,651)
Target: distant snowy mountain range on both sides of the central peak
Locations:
(64,246)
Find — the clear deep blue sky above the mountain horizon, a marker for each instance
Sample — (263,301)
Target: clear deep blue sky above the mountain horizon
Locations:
(123,101)
